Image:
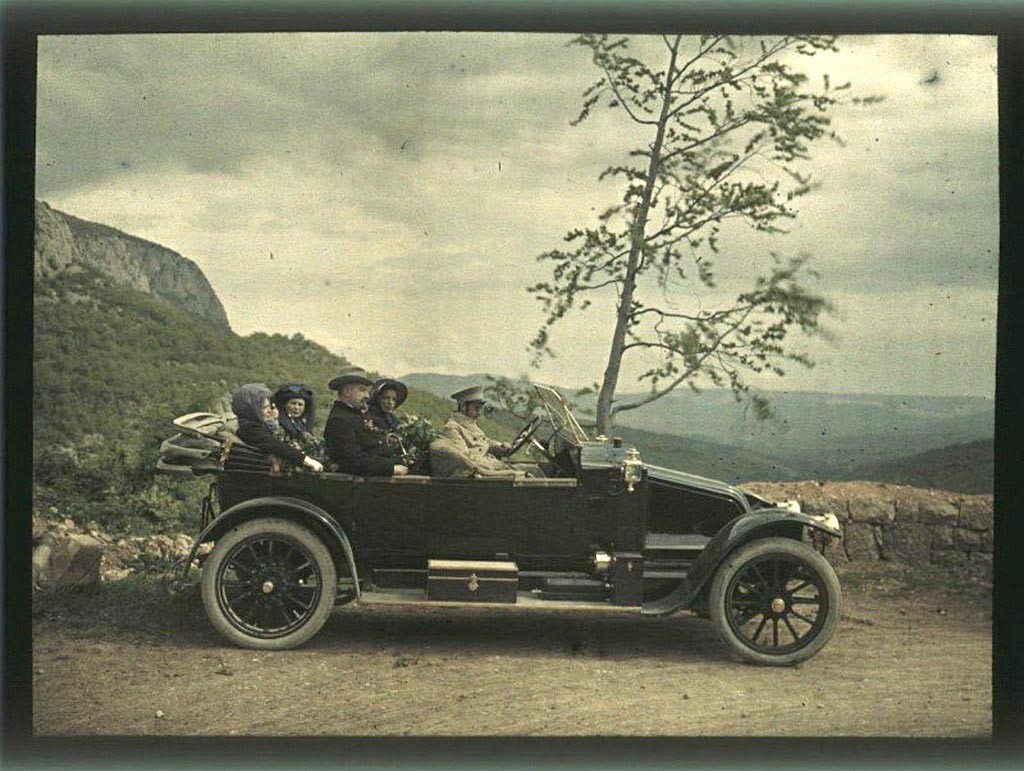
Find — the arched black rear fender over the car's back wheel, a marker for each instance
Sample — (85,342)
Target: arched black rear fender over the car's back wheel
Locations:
(294,509)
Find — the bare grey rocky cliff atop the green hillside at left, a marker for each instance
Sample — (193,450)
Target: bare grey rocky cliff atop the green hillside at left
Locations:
(64,243)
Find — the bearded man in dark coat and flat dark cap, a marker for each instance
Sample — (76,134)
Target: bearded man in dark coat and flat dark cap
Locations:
(350,438)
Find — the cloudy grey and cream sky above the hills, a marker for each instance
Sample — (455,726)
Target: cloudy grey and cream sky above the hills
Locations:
(405,184)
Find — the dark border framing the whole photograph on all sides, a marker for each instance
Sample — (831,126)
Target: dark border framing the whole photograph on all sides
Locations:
(24,21)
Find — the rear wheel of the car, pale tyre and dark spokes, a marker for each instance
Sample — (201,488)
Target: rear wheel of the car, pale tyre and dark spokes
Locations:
(269,585)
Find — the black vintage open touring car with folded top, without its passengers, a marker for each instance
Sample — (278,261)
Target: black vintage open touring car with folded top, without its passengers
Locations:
(603,532)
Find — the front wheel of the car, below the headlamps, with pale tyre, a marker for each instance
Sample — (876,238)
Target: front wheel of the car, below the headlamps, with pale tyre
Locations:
(776,602)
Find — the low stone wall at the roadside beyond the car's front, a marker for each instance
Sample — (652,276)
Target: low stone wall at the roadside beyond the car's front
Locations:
(892,523)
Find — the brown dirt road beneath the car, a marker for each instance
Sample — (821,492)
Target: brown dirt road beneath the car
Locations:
(907,662)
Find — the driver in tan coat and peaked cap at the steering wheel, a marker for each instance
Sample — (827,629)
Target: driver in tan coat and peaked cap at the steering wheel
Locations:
(463,449)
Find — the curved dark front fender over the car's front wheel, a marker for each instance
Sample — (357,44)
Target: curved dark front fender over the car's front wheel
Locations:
(743,530)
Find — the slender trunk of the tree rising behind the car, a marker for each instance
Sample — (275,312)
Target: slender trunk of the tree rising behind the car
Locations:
(606,415)
